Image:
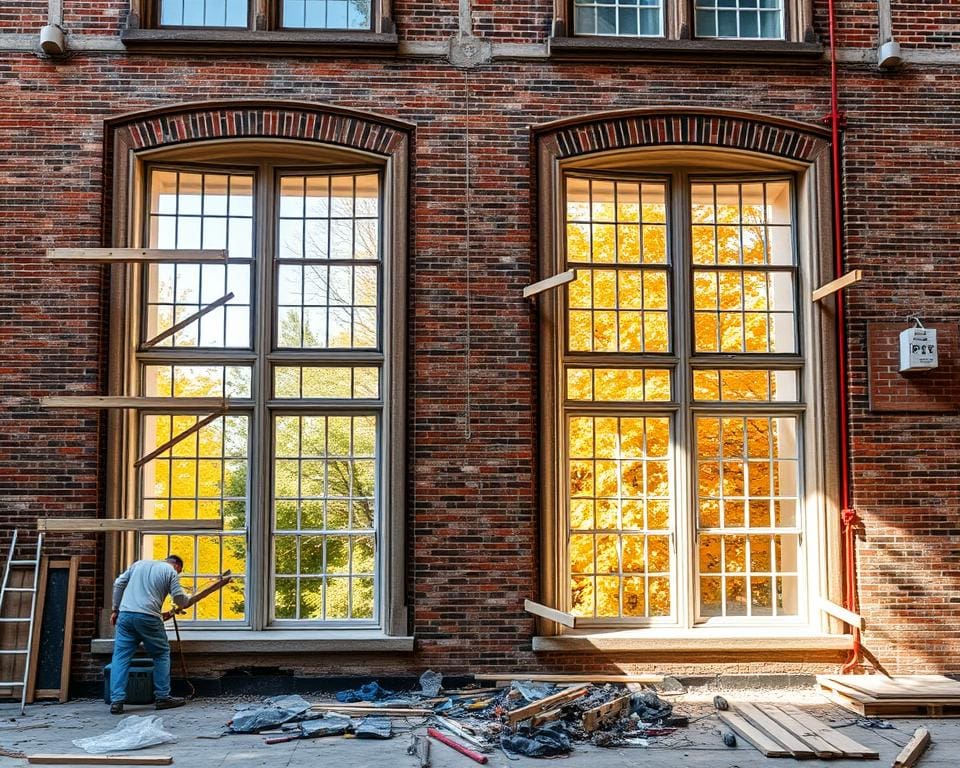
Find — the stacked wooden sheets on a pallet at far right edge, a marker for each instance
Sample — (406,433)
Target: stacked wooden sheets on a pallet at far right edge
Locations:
(900,696)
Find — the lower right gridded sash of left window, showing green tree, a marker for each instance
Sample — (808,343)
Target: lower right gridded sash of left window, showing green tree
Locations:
(324,517)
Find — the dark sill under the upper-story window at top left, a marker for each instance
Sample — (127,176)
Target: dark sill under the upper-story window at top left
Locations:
(313,42)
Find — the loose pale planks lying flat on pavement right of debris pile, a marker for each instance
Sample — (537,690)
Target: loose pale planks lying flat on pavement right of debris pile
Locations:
(786,731)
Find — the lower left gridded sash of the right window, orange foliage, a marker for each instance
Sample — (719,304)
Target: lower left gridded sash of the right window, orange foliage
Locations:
(620,525)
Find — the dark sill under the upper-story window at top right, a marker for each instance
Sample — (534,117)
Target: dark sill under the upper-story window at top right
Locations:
(638,48)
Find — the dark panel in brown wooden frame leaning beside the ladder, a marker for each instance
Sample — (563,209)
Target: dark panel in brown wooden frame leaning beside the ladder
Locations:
(53,629)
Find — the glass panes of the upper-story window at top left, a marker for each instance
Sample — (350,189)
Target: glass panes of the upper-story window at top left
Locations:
(283,14)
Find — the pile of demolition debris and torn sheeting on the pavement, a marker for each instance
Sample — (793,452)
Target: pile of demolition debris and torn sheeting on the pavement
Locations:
(535,719)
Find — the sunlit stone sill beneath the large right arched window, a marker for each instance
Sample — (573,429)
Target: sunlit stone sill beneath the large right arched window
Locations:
(692,642)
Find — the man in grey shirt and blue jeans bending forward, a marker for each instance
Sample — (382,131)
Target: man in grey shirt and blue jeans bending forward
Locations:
(138,595)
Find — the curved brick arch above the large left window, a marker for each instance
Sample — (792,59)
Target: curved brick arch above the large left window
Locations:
(326,125)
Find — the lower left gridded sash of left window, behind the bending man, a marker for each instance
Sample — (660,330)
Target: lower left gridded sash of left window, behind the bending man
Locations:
(202,477)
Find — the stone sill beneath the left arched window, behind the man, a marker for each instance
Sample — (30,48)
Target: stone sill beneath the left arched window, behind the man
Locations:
(277,641)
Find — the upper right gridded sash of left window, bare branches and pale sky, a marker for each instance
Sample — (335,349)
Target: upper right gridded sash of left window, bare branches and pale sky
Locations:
(328,262)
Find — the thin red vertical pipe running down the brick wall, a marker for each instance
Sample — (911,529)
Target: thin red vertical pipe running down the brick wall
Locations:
(848,515)
